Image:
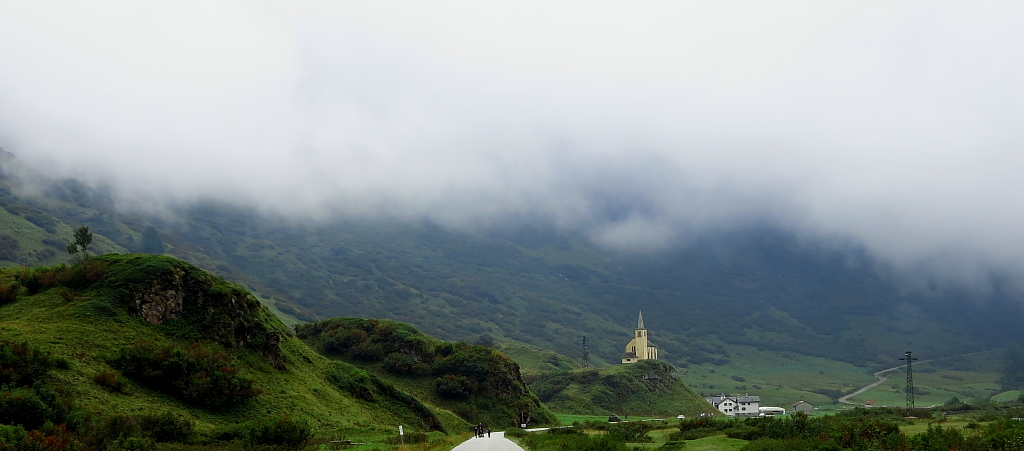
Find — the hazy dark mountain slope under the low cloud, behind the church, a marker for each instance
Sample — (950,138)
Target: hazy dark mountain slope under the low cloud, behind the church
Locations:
(756,286)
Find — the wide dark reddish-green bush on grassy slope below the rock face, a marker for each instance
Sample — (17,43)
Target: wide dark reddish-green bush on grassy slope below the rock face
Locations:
(193,374)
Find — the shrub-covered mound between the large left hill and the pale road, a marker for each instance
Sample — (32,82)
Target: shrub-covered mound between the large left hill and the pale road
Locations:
(479,384)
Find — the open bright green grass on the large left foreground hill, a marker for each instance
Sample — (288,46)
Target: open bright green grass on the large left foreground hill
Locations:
(48,321)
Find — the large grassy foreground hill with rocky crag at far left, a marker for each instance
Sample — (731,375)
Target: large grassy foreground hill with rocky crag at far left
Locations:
(140,335)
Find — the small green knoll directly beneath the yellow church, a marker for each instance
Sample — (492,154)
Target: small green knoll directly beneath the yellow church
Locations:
(646,389)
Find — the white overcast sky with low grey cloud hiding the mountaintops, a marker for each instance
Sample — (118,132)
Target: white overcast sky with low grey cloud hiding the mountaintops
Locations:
(897,125)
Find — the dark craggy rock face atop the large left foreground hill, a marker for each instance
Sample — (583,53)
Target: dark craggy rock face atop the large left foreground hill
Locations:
(208,307)
